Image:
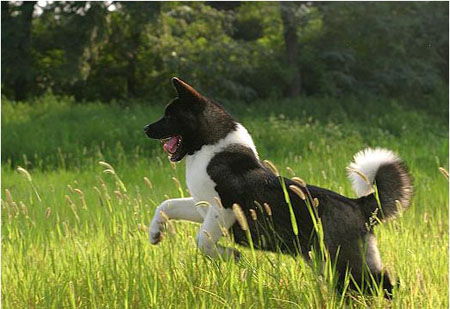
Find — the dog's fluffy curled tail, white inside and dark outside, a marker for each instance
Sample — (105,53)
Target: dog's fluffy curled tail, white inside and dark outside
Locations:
(381,169)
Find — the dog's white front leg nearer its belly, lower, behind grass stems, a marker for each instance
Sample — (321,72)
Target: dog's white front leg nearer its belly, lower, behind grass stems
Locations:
(216,220)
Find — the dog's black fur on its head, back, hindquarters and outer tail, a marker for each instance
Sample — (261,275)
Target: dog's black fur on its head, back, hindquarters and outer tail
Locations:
(242,179)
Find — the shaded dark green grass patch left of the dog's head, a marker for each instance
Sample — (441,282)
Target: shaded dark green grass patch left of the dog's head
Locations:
(58,129)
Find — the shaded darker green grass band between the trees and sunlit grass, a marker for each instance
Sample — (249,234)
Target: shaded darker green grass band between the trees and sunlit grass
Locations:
(62,133)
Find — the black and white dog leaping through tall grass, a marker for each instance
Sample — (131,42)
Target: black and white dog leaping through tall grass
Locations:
(223,169)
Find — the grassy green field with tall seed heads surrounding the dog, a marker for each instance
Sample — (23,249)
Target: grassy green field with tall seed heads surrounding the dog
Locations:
(75,236)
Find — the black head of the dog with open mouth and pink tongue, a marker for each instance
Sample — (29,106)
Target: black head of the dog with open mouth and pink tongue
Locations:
(189,122)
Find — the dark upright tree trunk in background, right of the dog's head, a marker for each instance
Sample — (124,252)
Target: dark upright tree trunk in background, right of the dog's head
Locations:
(291,46)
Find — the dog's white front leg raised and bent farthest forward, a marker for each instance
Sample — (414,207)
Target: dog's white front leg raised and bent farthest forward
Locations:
(173,209)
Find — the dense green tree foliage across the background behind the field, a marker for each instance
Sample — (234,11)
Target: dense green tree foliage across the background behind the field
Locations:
(121,50)
